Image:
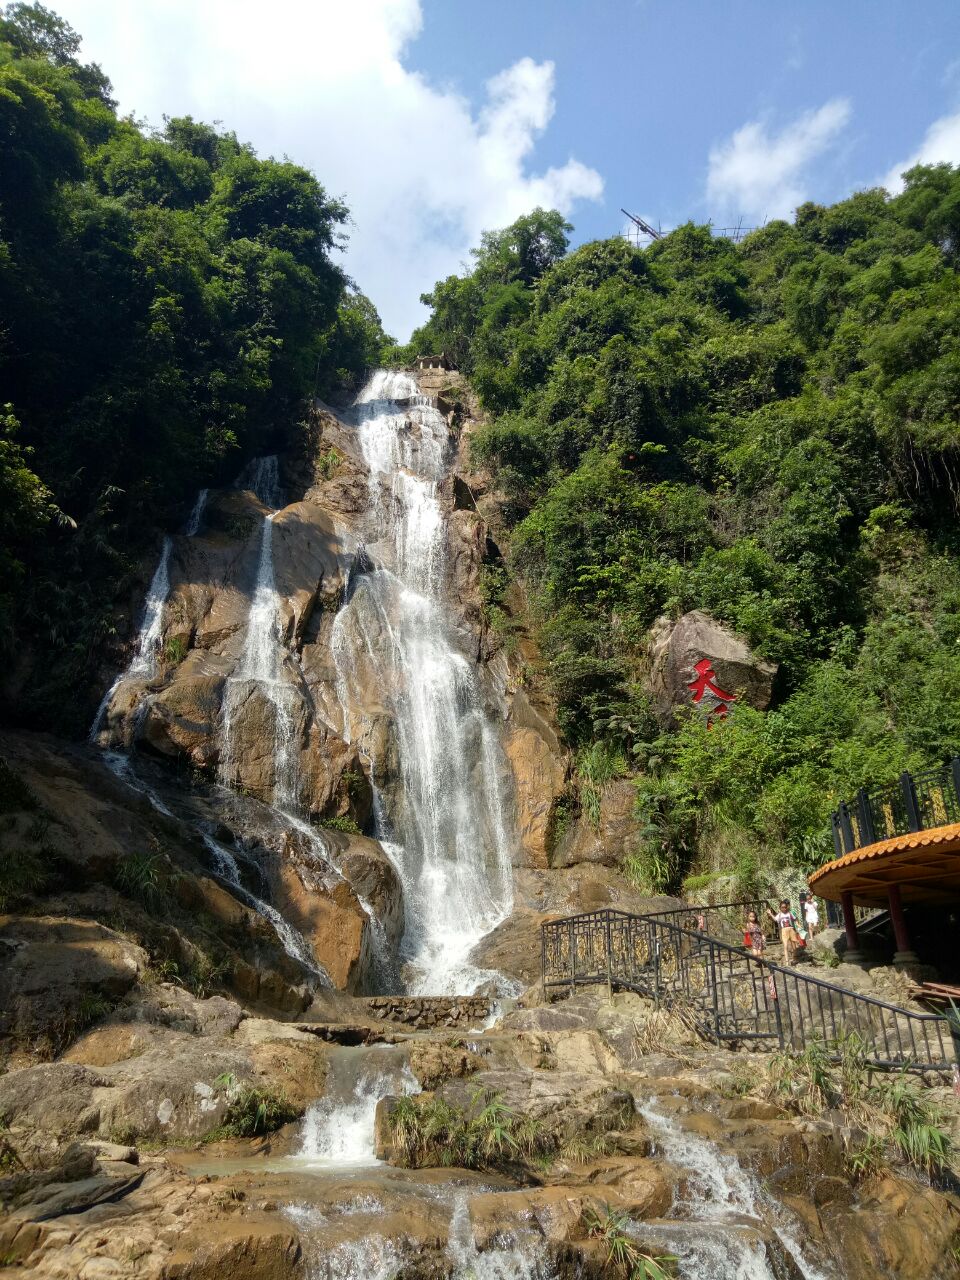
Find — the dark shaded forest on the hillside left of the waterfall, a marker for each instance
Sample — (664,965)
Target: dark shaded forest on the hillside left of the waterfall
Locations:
(168,301)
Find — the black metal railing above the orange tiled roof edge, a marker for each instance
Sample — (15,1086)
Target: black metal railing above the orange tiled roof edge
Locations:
(916,802)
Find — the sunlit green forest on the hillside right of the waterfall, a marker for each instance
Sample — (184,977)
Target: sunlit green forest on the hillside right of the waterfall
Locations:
(767,431)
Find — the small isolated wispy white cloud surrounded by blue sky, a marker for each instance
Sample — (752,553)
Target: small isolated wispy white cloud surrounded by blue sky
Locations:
(764,175)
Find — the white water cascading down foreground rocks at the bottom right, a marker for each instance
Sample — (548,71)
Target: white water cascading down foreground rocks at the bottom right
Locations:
(719,1196)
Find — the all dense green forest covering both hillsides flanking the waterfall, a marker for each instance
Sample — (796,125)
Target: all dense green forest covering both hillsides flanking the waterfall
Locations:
(767,431)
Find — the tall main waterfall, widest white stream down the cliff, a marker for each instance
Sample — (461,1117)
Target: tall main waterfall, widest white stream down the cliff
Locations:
(445,828)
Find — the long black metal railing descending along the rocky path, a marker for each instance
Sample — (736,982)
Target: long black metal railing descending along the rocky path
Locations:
(732,995)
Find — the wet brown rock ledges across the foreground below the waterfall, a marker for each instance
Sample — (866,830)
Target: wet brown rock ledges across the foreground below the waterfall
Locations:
(721,1180)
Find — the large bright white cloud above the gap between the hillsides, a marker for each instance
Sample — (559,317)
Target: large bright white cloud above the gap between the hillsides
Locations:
(328,85)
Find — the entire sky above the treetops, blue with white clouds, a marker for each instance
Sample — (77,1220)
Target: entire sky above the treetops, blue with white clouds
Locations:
(440,118)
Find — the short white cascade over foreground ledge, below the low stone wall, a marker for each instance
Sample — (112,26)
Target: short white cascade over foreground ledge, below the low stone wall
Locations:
(339,1130)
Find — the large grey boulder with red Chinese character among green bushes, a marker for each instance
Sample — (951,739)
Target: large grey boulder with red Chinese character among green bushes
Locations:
(700,662)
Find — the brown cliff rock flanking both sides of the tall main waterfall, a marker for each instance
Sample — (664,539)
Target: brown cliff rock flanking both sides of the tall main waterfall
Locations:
(196,707)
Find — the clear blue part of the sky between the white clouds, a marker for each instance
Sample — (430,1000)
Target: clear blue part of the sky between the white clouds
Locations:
(646,90)
